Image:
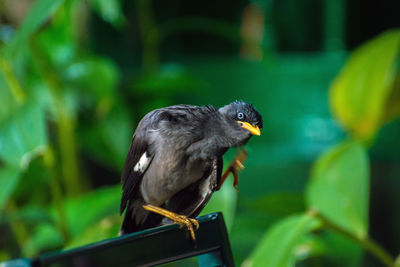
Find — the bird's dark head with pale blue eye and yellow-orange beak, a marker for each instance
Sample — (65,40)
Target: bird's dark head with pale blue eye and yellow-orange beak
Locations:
(243,118)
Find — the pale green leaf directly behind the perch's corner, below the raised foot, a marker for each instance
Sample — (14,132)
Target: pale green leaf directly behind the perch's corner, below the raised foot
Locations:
(224,201)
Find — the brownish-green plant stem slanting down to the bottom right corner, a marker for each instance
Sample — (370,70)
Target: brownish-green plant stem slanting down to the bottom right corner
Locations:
(365,242)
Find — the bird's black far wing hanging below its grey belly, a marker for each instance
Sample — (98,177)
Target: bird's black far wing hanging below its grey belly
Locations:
(191,200)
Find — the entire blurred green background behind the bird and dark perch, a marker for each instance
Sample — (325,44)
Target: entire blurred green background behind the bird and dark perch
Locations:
(321,182)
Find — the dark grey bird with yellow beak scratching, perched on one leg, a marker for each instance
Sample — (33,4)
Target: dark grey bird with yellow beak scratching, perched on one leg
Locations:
(174,163)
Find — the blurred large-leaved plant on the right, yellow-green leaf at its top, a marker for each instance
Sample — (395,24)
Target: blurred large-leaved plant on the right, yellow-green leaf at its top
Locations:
(338,191)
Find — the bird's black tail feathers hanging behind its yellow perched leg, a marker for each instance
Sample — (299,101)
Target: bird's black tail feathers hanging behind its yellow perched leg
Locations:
(137,218)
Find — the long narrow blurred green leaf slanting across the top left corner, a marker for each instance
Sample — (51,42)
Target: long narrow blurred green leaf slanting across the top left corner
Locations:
(40,11)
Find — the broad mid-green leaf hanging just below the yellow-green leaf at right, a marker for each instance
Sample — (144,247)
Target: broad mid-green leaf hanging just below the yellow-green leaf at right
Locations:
(339,187)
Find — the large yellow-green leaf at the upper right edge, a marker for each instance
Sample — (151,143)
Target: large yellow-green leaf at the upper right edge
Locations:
(360,93)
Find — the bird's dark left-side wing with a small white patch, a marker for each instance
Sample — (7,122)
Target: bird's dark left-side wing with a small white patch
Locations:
(136,163)
